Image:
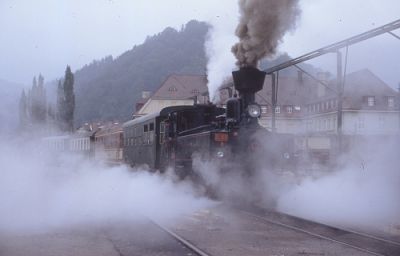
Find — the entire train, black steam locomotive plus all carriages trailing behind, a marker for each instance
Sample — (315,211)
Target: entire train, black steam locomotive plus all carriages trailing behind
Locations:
(171,138)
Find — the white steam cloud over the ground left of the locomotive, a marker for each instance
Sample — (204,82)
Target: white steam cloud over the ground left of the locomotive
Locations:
(39,192)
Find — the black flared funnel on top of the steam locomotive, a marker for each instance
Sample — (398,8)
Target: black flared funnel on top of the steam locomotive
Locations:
(248,81)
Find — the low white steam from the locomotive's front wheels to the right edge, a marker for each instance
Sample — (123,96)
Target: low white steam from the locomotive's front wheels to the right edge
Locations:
(362,193)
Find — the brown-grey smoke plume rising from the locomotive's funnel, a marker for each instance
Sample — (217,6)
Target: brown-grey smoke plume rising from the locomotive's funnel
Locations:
(262,25)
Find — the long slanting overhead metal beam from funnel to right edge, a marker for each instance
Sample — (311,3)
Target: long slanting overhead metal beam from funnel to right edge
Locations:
(338,45)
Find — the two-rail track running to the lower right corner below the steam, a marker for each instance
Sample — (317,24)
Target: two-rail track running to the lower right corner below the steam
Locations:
(366,243)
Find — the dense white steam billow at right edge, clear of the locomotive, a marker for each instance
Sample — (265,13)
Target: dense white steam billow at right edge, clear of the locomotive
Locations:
(364,193)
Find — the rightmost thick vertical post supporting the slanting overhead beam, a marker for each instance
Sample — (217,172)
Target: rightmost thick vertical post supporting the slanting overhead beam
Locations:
(339,101)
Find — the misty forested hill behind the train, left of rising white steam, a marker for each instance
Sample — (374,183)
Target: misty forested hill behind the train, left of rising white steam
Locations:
(108,89)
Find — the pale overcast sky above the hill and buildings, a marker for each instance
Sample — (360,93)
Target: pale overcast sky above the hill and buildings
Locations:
(46,35)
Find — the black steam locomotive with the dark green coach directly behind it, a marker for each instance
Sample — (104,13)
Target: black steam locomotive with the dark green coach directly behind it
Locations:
(173,136)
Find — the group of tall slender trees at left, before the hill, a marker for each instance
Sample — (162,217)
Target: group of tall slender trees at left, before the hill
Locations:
(34,109)
